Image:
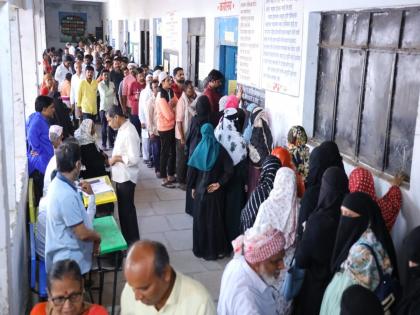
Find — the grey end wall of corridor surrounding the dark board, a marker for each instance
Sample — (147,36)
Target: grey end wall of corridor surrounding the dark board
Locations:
(52,7)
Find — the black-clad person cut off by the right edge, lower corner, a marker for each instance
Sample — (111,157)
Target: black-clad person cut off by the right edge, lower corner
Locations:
(410,302)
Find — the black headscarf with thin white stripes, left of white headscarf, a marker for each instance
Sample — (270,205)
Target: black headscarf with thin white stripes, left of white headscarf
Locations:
(270,167)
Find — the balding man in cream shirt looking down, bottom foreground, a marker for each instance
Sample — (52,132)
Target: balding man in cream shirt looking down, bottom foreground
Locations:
(154,287)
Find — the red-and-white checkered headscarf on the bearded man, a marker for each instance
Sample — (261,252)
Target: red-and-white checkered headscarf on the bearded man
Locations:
(258,244)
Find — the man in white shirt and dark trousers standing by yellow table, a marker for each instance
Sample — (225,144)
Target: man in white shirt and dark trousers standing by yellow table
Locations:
(125,162)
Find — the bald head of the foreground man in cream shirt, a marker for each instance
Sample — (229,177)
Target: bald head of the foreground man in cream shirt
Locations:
(147,271)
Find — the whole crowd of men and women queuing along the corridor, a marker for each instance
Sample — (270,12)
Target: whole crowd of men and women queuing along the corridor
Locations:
(304,237)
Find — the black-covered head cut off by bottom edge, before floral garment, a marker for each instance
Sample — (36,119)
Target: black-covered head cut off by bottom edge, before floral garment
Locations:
(358,300)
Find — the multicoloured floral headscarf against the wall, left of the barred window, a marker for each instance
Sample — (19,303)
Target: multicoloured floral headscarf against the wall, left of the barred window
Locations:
(297,140)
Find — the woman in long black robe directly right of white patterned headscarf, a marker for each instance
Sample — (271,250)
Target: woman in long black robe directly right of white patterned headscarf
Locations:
(314,250)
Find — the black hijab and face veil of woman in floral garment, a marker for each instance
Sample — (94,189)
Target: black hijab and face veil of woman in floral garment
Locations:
(351,229)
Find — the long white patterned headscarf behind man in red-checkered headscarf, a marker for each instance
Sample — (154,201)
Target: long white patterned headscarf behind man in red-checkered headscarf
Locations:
(280,209)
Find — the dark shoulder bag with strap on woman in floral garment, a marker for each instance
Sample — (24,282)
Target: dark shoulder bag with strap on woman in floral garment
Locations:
(388,289)
